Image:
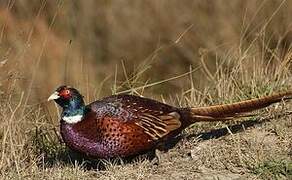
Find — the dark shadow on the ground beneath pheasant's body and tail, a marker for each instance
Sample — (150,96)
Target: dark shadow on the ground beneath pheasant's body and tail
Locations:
(68,156)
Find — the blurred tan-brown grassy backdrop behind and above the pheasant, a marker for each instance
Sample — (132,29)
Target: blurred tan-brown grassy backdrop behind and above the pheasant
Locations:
(83,43)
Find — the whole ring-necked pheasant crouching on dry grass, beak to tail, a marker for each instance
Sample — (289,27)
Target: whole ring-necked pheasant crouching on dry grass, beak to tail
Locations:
(128,125)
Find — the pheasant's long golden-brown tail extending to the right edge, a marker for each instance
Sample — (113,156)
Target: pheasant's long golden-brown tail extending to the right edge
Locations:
(234,110)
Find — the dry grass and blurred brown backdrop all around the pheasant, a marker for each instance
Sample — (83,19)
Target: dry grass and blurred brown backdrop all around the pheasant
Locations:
(236,50)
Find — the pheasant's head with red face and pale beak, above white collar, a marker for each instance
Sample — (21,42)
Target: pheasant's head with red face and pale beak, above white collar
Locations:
(67,96)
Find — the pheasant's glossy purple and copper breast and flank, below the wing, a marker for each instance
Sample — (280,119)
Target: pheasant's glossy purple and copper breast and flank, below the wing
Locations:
(106,137)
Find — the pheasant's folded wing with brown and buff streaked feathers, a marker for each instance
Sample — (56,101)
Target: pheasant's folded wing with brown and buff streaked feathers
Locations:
(155,118)
